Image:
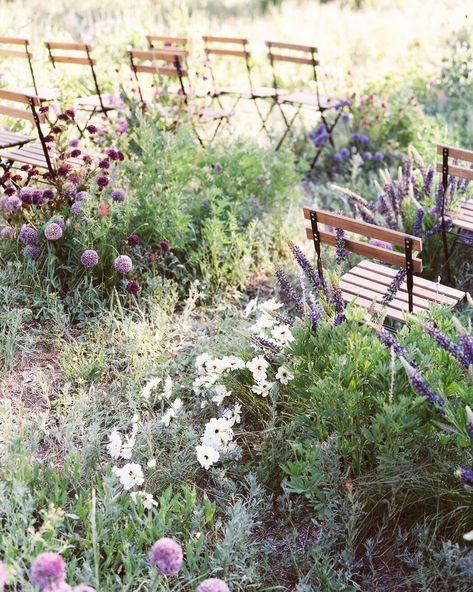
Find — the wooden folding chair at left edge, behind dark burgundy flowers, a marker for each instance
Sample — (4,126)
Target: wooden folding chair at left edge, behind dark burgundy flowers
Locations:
(26,107)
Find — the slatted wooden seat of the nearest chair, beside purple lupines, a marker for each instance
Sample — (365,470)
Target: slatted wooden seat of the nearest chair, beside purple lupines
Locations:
(368,282)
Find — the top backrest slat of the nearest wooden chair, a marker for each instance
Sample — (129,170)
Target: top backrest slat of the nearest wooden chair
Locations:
(387,235)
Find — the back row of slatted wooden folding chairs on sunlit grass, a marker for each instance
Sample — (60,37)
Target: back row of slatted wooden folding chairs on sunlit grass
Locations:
(167,56)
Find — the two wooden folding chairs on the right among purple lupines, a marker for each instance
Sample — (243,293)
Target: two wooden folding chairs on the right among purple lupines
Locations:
(368,281)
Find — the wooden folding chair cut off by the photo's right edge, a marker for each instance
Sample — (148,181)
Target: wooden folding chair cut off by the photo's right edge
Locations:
(461,218)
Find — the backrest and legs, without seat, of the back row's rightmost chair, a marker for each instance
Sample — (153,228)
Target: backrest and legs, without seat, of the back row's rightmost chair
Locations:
(308,58)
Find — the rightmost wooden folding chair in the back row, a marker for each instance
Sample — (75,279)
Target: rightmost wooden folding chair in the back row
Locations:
(300,55)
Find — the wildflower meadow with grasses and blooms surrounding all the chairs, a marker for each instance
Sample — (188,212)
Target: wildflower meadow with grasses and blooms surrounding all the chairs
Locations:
(186,404)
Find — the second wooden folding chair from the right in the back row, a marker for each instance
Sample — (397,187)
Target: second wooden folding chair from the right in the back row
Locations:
(235,47)
